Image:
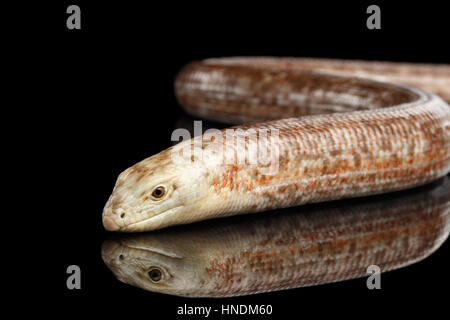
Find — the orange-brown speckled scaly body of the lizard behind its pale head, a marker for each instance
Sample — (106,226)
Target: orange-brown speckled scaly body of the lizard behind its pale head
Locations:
(392,137)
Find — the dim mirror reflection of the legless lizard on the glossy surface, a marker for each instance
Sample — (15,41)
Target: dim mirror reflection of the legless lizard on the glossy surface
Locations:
(296,247)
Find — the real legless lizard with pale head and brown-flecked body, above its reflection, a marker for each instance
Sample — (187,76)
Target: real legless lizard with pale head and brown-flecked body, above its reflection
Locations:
(393,137)
